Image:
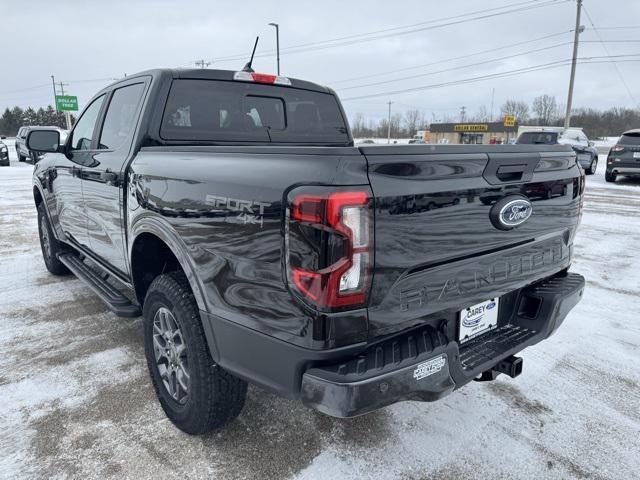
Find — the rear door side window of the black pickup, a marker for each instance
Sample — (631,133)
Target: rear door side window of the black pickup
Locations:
(121,116)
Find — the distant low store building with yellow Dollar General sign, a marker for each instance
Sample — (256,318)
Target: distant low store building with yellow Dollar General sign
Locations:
(473,133)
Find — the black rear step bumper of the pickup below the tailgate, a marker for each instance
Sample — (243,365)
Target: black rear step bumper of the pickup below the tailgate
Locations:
(423,364)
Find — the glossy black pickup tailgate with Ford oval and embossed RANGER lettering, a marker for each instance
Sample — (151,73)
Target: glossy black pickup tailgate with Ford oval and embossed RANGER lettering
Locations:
(437,250)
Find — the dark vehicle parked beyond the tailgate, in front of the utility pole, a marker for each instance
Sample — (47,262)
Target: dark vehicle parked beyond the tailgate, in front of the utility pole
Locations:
(586,153)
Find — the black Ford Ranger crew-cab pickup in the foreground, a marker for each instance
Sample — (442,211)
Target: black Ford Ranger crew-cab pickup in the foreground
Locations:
(232,210)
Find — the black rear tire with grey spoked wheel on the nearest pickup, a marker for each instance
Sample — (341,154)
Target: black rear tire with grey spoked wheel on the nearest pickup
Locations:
(213,396)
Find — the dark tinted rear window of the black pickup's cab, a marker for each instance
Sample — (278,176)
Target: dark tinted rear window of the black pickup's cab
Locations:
(226,111)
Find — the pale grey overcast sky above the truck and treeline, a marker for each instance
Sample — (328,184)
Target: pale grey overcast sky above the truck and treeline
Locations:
(85,44)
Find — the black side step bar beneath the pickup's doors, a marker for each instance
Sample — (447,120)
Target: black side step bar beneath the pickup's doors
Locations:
(115,300)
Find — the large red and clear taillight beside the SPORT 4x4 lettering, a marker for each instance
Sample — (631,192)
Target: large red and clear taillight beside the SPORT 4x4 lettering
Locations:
(345,282)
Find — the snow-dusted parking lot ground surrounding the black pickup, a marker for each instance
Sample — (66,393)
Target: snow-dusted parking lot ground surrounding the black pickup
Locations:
(77,401)
